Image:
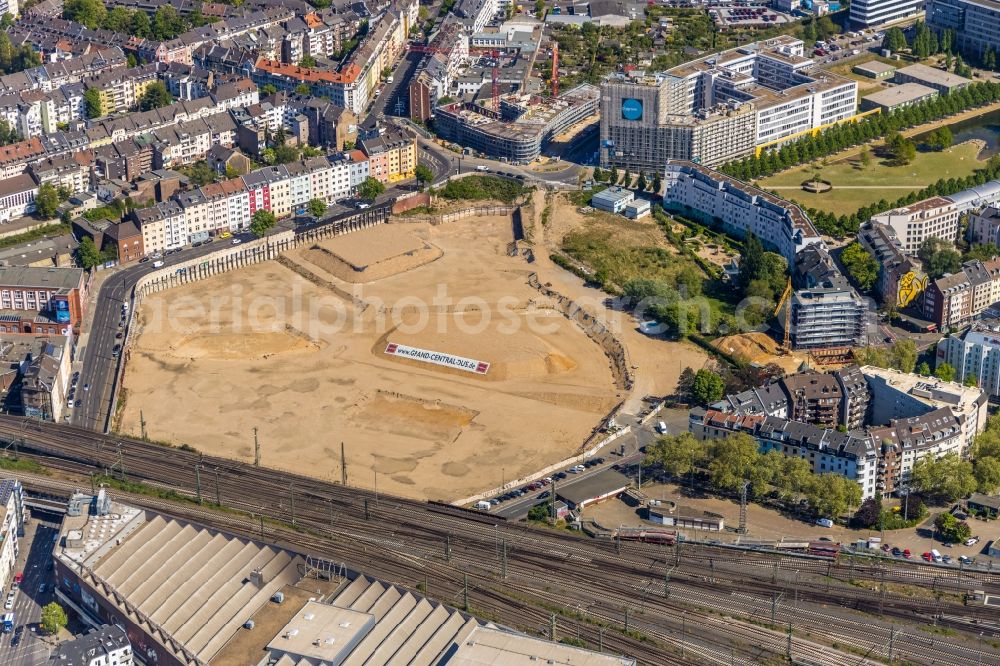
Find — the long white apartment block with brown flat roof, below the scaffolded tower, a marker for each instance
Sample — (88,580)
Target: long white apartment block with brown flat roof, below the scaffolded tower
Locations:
(739,207)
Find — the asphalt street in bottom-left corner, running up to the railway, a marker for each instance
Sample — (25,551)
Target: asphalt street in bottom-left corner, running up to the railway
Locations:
(36,555)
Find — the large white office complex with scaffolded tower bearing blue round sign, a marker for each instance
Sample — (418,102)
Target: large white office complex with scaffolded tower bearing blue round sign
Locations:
(696,110)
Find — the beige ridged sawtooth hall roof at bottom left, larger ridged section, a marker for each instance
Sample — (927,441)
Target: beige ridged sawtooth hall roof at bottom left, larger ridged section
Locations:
(189,587)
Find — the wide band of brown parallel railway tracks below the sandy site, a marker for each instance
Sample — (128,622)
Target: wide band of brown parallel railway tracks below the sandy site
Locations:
(418,542)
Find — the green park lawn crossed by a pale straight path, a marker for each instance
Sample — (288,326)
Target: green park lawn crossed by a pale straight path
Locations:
(854,186)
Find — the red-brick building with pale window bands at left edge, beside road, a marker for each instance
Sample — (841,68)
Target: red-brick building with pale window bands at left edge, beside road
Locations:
(42,301)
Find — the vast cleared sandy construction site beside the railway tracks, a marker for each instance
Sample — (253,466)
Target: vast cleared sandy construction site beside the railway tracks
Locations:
(273,360)
